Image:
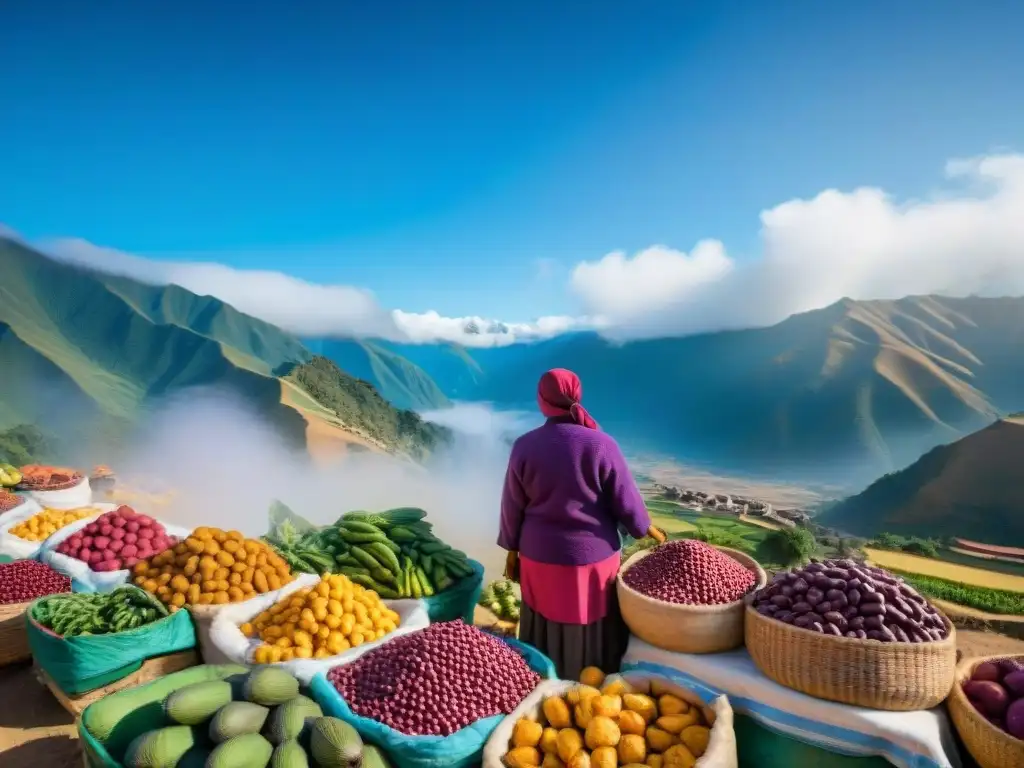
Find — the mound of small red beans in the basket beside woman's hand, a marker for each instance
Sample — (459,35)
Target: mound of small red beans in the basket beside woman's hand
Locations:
(687,572)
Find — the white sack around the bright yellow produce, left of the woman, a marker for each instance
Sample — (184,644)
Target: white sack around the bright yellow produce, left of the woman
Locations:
(225,644)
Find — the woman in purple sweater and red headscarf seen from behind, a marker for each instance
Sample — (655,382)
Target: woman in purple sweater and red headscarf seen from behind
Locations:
(568,491)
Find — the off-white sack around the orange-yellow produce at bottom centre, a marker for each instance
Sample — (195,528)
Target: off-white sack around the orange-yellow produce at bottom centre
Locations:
(721,751)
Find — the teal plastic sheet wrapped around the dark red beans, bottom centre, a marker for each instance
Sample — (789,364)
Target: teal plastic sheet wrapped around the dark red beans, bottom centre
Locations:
(461,750)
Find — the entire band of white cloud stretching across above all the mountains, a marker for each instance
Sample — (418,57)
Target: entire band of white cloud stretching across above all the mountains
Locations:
(861,244)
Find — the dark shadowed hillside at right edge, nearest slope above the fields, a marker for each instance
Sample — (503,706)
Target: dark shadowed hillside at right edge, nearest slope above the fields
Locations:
(967,489)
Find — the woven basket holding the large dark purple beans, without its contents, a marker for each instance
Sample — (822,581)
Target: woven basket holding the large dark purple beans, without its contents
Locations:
(899,677)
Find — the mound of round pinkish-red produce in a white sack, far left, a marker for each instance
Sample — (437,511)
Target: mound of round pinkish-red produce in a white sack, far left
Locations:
(117,540)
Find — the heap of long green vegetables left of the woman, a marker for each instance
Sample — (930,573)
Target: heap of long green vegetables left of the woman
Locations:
(395,553)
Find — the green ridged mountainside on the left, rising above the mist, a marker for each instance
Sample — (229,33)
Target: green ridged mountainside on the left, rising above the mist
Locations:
(86,357)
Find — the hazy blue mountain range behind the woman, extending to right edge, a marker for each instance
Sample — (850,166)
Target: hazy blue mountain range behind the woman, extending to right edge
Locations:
(842,395)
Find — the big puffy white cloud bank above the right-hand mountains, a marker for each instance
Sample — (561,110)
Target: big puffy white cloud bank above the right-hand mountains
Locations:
(860,245)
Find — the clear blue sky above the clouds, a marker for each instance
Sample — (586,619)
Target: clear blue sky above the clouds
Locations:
(464,156)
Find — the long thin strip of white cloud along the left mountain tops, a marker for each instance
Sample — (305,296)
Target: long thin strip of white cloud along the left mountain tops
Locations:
(305,309)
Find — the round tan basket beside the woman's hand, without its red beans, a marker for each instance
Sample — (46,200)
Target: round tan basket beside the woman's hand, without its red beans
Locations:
(687,629)
